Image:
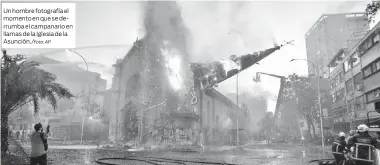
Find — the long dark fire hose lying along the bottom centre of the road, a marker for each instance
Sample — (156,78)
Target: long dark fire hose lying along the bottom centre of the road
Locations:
(155,160)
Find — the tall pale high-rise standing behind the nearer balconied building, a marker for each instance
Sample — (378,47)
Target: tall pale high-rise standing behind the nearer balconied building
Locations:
(328,35)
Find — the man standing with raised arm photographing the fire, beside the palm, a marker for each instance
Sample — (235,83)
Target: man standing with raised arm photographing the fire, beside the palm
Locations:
(39,145)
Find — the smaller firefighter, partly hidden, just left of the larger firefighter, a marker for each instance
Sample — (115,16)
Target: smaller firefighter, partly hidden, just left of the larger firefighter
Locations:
(338,147)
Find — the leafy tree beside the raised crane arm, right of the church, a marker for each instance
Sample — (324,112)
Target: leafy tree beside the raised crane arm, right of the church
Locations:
(299,90)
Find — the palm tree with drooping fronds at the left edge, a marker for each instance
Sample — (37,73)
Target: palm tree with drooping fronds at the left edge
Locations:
(23,82)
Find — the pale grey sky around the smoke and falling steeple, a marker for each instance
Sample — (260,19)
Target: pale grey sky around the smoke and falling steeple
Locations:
(218,30)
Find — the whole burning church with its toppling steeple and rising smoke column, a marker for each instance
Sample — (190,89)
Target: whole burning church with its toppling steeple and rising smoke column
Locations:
(157,95)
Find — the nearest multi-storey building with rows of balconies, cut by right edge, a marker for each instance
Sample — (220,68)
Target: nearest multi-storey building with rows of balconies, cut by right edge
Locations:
(355,82)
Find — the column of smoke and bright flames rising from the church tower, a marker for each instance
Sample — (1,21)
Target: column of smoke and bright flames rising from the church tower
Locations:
(165,30)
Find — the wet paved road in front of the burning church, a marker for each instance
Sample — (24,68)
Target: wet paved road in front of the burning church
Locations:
(249,155)
